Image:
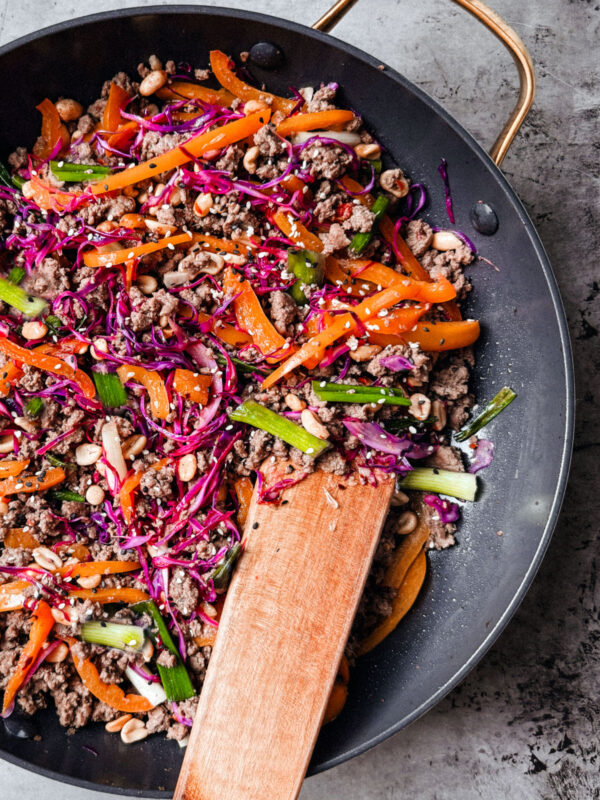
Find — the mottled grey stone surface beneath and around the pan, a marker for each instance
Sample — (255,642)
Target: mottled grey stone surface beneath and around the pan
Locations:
(525,723)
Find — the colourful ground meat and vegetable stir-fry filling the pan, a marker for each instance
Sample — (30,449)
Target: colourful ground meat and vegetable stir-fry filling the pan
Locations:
(204,288)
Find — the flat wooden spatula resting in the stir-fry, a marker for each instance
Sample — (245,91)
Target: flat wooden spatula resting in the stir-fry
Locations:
(284,626)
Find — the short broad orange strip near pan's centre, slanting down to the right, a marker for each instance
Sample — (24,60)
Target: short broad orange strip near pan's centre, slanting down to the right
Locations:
(251,317)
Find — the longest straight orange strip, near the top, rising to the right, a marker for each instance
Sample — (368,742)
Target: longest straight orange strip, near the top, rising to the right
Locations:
(196,146)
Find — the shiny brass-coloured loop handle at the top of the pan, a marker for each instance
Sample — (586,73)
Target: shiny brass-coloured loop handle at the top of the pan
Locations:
(509,39)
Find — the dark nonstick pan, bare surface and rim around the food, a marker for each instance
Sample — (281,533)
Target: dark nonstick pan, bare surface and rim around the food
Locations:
(473,589)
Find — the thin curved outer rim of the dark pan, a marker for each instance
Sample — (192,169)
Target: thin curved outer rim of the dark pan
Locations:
(561,321)
